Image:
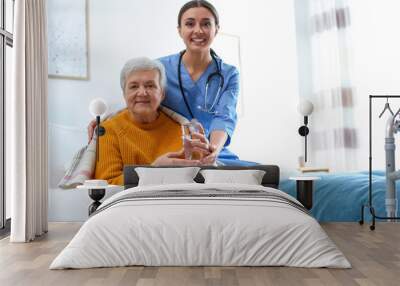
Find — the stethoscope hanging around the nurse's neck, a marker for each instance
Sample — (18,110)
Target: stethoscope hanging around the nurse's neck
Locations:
(217,73)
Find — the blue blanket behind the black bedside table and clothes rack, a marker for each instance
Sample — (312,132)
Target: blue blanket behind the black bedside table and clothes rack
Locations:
(338,197)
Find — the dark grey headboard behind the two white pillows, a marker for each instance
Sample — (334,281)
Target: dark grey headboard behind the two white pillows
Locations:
(270,179)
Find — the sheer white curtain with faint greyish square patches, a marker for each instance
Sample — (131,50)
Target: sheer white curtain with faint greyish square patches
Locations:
(333,137)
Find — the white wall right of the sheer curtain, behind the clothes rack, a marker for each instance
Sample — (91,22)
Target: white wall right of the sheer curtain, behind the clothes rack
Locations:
(376,28)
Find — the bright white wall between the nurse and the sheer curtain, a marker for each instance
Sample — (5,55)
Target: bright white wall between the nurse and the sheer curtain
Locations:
(267,132)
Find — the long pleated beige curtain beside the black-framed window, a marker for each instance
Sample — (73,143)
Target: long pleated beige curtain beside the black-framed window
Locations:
(27,123)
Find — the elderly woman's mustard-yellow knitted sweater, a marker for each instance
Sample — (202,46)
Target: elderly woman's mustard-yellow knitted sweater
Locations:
(128,142)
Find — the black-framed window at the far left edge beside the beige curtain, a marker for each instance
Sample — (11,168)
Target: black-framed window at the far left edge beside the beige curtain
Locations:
(6,44)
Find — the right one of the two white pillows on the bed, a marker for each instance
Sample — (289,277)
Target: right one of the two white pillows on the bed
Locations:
(249,177)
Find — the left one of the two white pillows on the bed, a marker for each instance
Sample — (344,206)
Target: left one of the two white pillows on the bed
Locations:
(163,176)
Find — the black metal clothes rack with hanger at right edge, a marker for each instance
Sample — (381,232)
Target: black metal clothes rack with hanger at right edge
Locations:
(392,127)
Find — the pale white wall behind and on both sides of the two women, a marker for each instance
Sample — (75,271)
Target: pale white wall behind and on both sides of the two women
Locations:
(267,130)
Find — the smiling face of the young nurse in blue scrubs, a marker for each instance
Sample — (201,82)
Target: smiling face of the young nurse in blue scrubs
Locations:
(197,29)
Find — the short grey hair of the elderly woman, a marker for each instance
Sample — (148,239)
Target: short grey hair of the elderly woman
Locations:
(140,64)
